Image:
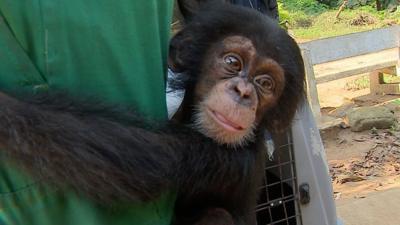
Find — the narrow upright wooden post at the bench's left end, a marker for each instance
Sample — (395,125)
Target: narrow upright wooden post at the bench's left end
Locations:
(312,92)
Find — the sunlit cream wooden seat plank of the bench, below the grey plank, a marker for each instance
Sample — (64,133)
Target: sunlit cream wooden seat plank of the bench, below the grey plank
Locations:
(352,66)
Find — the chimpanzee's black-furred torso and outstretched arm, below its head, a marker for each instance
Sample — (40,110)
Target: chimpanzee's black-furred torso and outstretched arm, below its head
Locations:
(90,149)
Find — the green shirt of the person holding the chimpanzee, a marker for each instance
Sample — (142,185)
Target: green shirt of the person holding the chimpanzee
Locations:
(114,50)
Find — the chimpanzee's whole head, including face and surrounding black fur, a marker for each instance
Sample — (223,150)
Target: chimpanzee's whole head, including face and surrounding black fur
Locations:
(241,72)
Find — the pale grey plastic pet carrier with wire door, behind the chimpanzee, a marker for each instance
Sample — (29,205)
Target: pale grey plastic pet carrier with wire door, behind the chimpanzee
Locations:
(297,188)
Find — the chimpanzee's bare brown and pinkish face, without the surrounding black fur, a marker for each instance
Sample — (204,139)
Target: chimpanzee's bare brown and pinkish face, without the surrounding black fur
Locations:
(237,86)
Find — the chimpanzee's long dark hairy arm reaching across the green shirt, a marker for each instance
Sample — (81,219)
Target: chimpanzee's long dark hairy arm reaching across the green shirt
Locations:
(92,153)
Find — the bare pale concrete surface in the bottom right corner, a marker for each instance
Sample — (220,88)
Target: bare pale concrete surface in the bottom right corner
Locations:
(381,208)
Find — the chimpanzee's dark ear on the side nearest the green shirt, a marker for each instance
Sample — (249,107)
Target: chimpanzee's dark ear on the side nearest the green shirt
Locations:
(176,56)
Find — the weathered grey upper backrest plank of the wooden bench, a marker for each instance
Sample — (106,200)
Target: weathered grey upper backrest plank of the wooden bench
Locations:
(331,49)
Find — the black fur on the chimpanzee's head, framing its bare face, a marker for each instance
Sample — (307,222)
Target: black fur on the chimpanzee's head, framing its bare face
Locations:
(214,23)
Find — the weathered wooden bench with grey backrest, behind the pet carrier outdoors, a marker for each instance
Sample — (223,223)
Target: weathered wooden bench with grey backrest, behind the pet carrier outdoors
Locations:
(333,58)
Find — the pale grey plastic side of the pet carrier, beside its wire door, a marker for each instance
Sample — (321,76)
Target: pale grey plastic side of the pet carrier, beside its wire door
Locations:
(312,168)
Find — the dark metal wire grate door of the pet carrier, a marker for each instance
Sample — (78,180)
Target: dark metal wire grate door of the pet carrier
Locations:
(278,202)
